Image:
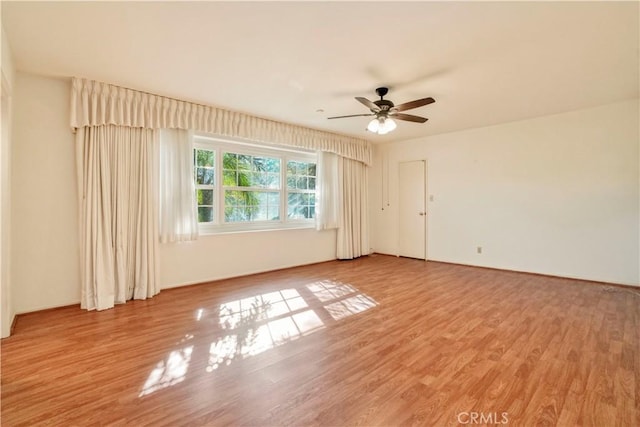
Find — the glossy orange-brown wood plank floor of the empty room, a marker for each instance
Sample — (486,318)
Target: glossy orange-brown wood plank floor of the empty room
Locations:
(375,341)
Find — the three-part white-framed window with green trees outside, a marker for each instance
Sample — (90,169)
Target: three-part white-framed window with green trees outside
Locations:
(244,187)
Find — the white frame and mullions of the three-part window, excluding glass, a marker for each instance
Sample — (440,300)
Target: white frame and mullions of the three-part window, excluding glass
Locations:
(221,145)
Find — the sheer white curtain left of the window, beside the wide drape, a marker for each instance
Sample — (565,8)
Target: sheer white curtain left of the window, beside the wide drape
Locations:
(178,219)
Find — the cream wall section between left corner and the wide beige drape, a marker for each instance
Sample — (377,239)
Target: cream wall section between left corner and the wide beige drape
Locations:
(45,256)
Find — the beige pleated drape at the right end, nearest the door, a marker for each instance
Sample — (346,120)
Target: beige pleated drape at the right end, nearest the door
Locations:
(353,219)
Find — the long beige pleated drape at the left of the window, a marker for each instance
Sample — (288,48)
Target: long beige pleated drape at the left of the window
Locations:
(117,180)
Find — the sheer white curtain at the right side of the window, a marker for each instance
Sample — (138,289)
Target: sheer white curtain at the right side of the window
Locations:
(328,191)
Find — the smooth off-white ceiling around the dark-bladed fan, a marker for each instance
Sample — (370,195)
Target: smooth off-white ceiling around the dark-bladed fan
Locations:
(484,63)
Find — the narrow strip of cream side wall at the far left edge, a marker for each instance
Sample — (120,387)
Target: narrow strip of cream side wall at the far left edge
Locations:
(7,78)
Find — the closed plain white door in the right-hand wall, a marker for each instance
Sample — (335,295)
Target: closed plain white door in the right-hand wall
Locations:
(412,206)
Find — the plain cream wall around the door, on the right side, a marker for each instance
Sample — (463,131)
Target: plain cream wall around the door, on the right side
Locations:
(555,195)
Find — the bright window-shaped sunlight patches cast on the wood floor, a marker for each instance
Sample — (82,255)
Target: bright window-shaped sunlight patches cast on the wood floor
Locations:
(262,322)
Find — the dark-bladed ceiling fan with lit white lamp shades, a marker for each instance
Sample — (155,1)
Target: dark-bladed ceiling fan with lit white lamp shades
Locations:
(385,111)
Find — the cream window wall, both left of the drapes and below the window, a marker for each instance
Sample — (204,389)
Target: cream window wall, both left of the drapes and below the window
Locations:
(45,263)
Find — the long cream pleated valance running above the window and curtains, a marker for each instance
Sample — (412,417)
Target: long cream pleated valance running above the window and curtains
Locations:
(96,104)
